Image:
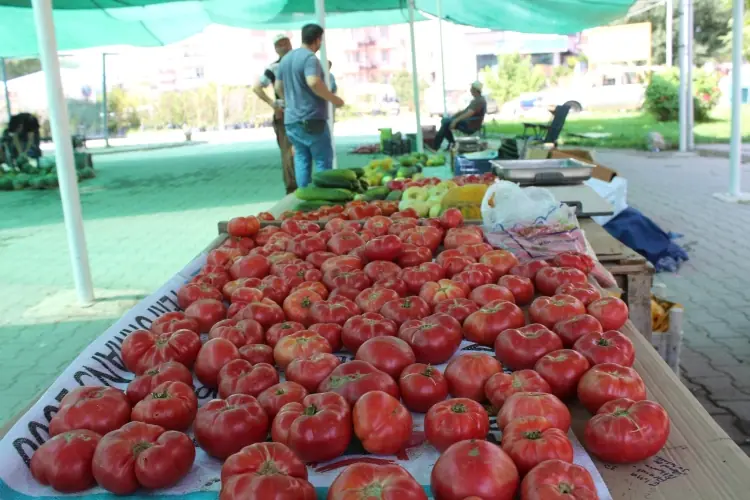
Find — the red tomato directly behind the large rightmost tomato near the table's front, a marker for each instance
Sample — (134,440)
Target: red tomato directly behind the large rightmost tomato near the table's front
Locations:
(608,381)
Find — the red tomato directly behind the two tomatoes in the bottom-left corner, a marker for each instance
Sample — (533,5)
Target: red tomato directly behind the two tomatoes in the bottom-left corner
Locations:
(98,409)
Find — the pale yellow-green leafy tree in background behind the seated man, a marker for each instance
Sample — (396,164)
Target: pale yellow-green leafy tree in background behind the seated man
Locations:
(513,76)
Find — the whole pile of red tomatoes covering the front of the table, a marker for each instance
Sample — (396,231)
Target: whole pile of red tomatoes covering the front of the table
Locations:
(401,296)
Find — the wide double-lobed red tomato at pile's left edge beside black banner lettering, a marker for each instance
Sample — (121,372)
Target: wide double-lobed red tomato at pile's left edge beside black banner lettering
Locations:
(143,350)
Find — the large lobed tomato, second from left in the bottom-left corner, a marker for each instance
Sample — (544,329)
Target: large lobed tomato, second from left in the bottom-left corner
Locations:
(142,455)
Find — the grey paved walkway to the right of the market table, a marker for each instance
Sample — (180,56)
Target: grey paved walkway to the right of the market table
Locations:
(676,192)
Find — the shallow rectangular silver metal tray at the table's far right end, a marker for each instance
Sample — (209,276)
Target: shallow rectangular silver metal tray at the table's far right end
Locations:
(543,172)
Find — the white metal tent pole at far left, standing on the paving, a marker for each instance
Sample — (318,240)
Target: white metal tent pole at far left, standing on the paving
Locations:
(66,172)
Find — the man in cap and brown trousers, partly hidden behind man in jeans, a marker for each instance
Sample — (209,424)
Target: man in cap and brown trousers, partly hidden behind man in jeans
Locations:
(282,45)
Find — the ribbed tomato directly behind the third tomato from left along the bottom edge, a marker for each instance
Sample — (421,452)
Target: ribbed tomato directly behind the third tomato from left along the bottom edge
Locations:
(455,420)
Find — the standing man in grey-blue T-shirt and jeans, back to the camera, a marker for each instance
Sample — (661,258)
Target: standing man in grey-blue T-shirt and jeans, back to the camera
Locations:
(300,83)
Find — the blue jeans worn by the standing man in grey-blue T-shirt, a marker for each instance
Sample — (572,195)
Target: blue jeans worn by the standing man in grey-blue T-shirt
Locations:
(309,149)
